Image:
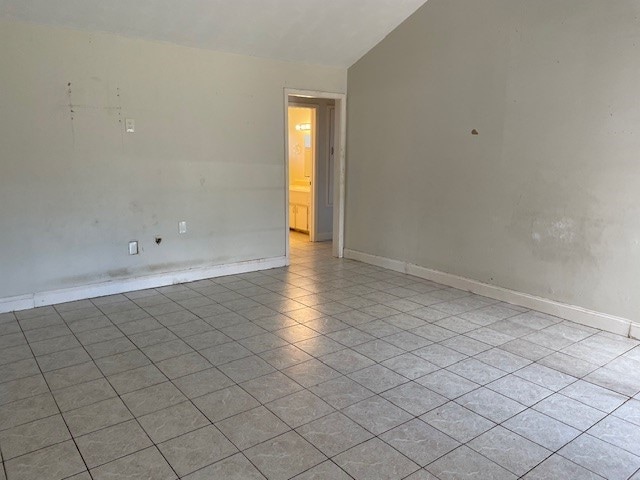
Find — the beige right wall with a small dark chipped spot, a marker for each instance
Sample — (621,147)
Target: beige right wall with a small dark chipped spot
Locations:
(546,199)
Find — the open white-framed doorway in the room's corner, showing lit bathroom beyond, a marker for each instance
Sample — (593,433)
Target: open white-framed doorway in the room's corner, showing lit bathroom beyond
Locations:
(315,135)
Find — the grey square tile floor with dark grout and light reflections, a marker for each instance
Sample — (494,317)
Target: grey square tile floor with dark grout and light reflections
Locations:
(329,369)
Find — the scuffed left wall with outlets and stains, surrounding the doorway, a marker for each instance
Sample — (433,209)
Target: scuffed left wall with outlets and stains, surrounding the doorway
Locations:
(74,188)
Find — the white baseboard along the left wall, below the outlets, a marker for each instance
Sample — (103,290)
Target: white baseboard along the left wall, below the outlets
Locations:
(24,302)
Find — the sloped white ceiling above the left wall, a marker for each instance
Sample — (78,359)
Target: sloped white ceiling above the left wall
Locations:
(328,32)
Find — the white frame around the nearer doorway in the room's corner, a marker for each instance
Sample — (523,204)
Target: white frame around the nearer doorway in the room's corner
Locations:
(340,140)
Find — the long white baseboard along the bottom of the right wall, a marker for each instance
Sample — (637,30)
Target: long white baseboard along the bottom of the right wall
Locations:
(591,318)
